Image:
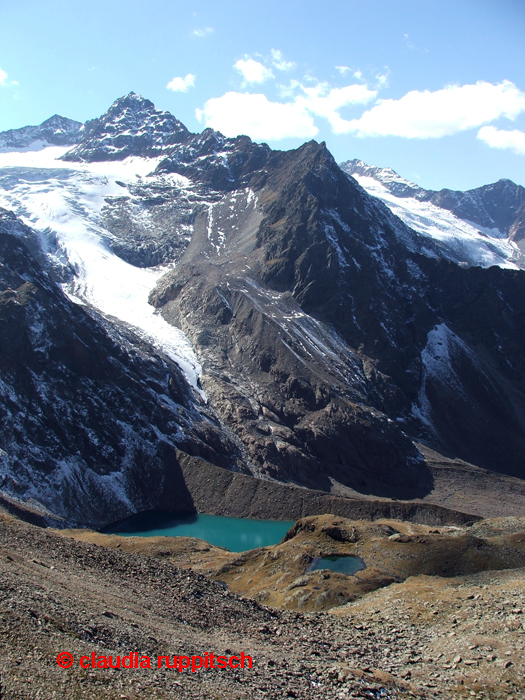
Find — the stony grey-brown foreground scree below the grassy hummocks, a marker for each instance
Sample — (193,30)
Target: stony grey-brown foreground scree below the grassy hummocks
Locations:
(397,642)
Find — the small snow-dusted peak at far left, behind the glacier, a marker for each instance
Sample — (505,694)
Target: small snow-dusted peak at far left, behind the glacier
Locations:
(55,131)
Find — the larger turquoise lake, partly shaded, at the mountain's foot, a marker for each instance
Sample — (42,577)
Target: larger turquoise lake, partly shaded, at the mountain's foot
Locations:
(236,534)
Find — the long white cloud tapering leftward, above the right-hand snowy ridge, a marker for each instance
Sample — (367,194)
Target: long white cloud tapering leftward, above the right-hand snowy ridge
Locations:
(441,113)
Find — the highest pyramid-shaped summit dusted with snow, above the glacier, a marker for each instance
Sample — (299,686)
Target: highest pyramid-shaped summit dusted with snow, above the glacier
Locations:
(132,126)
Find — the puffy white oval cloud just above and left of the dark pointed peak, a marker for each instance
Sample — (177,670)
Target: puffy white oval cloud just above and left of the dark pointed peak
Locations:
(254,115)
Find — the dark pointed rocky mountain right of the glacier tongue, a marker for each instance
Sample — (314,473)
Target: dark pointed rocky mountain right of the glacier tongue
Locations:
(327,338)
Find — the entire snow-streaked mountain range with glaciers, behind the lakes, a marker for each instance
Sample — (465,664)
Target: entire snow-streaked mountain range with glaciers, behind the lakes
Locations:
(273,313)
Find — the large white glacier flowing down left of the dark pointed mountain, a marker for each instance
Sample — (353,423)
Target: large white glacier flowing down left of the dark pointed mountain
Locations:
(62,202)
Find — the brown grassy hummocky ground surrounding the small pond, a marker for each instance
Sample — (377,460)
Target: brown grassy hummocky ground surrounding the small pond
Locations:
(392,551)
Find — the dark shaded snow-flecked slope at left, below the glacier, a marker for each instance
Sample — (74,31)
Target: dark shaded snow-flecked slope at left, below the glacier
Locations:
(92,416)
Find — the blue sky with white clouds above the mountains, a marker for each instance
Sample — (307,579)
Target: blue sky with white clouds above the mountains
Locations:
(434,89)
